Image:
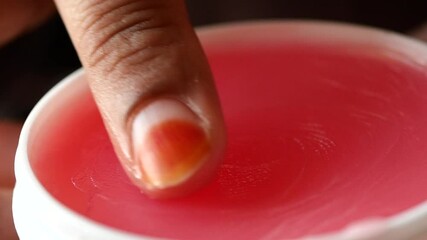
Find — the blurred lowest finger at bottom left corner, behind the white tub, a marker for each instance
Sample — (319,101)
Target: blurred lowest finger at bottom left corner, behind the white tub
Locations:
(7,228)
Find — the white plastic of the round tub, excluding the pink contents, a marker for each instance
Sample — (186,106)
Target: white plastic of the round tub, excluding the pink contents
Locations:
(38,215)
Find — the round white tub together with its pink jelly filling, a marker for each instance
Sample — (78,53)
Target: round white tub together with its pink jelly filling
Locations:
(327,132)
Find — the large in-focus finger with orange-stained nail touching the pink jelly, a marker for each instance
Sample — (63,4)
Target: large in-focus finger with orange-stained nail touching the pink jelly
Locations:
(153,87)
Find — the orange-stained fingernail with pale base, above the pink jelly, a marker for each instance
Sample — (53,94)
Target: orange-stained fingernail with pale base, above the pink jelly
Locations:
(169,143)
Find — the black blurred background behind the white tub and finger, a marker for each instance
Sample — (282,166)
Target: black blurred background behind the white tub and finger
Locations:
(34,62)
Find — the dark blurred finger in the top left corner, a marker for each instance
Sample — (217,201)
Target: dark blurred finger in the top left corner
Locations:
(18,16)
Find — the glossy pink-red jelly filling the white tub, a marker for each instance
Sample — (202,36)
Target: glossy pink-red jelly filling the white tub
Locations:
(318,137)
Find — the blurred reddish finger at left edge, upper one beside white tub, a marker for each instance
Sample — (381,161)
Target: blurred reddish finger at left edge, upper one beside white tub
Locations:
(9,134)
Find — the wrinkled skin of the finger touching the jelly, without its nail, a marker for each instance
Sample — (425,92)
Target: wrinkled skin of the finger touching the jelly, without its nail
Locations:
(136,51)
